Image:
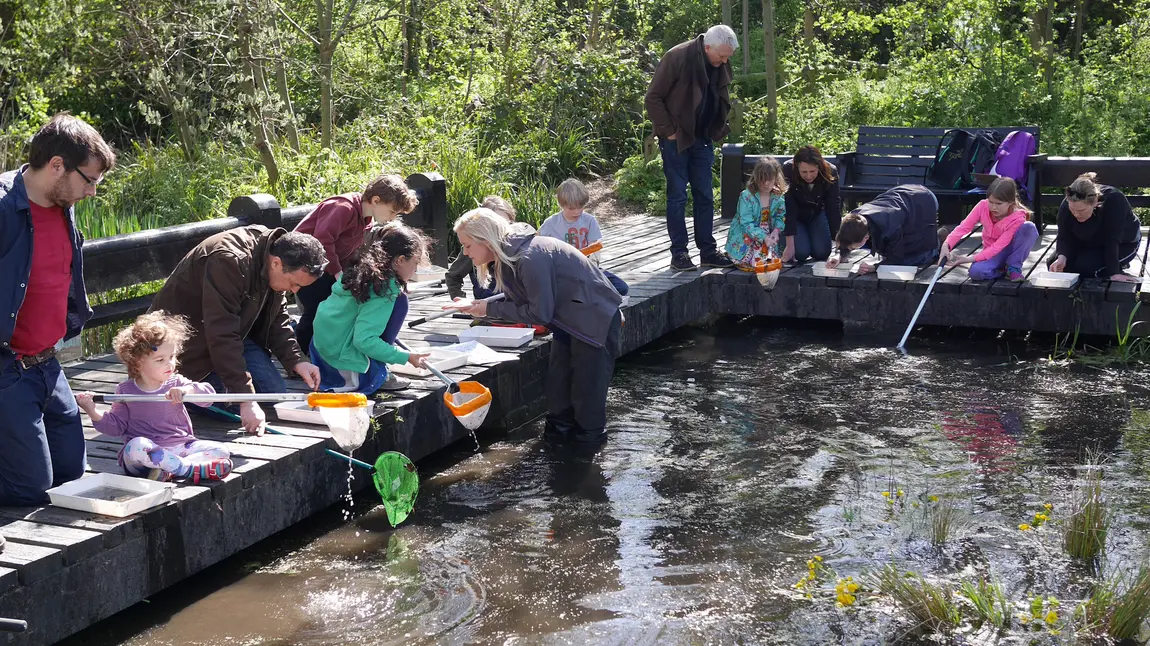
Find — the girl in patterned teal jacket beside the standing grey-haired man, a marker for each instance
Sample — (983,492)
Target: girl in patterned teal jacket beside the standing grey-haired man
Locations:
(761,219)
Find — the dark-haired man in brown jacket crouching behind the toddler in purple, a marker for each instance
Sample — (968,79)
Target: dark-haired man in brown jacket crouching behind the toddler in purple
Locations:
(232,288)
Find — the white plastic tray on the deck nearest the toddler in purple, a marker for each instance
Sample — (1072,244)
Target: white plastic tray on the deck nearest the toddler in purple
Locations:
(111,495)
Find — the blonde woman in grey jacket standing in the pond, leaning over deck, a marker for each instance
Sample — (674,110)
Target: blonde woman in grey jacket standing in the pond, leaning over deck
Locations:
(550,283)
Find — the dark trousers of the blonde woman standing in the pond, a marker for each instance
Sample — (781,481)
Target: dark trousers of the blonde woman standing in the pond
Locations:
(579,375)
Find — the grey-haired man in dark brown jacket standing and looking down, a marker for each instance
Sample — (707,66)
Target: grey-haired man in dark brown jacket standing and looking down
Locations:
(688,103)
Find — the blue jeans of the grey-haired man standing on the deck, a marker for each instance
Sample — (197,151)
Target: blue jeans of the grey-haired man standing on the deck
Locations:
(693,167)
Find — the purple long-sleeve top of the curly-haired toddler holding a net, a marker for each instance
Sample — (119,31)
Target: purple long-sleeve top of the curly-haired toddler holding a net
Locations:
(163,422)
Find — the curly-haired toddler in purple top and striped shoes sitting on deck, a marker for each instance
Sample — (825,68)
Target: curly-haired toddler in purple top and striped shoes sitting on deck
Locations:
(160,444)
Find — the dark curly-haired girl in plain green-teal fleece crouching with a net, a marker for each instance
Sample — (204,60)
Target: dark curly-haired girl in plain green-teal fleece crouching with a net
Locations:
(356,328)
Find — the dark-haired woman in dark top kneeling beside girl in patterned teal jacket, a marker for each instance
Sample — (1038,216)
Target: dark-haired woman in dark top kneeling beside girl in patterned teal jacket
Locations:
(814,209)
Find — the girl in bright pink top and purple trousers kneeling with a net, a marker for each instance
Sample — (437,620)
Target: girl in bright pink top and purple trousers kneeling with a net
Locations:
(1008,235)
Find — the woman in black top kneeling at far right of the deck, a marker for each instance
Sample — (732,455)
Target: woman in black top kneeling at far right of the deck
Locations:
(1098,232)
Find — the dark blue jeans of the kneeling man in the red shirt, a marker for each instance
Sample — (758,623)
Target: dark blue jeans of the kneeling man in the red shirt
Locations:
(42,440)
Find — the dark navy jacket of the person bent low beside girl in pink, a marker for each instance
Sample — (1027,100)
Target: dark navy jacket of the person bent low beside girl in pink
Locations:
(903,224)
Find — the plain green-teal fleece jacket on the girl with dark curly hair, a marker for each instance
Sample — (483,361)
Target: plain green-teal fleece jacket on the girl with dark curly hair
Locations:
(348,333)
